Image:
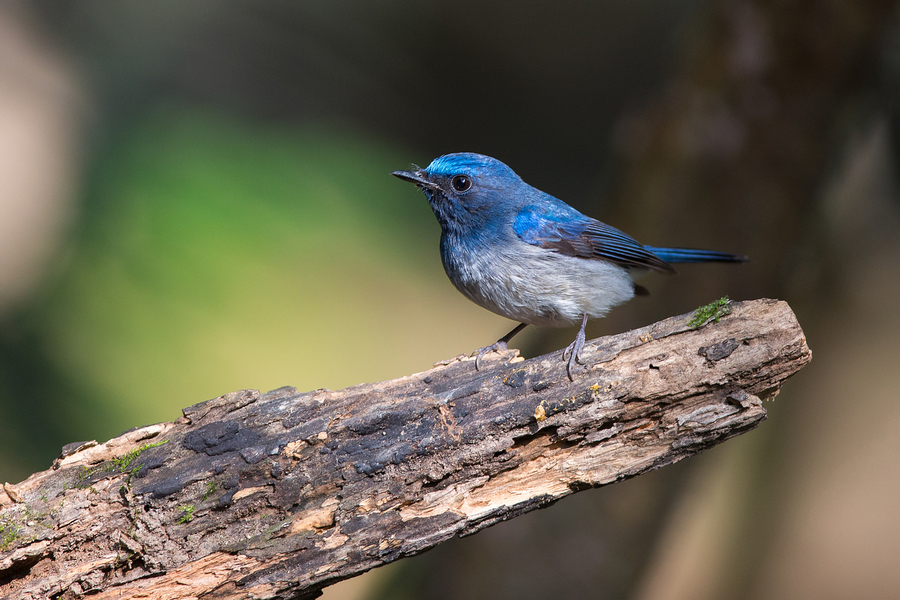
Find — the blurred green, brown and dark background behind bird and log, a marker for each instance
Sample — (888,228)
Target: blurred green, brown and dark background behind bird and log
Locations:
(195,198)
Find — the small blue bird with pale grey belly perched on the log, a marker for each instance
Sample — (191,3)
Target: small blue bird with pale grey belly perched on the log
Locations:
(530,257)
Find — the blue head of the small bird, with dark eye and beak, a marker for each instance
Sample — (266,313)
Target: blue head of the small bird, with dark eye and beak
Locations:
(468,191)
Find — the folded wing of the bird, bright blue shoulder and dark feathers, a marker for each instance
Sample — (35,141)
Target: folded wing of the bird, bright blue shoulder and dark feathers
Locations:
(571,233)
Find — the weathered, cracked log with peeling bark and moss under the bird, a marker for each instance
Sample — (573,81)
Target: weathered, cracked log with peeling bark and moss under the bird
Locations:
(278,495)
